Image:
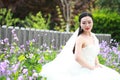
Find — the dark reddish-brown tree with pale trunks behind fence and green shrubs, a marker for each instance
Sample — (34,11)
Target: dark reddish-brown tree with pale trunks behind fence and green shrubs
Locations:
(62,11)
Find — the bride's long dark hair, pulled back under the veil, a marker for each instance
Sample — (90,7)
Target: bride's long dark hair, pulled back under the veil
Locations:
(84,14)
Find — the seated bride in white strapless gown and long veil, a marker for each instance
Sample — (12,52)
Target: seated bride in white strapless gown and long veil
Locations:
(78,59)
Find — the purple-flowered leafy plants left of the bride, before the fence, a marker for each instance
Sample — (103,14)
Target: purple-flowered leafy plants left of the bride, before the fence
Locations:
(20,62)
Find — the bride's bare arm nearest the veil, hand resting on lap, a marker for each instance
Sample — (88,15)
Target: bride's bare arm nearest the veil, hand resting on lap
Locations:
(78,56)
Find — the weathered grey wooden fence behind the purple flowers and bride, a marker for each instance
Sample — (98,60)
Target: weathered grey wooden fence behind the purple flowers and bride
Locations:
(43,37)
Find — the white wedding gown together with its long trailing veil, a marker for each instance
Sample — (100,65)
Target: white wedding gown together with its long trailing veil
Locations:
(64,66)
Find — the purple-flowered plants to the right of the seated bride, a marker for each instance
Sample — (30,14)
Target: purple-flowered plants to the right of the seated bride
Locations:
(110,54)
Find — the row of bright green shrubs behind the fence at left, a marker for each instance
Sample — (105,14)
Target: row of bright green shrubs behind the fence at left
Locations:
(32,21)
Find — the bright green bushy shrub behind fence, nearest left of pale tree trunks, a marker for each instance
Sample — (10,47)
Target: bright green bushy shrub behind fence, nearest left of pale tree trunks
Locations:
(37,21)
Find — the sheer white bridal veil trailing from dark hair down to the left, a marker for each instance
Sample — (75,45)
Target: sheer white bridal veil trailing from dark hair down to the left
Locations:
(63,59)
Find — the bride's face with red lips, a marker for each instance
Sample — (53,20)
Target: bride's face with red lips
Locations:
(86,23)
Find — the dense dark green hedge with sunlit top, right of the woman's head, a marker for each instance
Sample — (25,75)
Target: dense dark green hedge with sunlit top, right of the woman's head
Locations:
(107,22)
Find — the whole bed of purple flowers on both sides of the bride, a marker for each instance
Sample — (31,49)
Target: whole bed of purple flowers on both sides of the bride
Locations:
(18,62)
